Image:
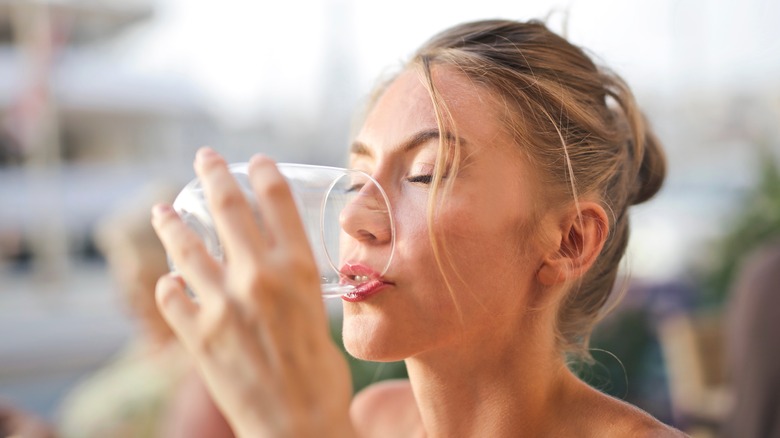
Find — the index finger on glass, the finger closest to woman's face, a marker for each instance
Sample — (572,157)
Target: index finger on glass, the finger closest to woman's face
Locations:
(276,202)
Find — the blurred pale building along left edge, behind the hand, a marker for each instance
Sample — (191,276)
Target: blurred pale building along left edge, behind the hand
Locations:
(79,130)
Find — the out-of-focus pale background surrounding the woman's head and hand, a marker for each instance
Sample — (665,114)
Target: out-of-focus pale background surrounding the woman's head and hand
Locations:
(98,98)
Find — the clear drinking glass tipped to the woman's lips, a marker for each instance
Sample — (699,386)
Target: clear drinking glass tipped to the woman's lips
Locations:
(326,198)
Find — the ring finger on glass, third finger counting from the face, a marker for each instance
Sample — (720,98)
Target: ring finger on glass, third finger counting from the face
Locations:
(187,251)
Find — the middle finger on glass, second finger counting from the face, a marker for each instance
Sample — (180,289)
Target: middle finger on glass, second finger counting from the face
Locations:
(233,218)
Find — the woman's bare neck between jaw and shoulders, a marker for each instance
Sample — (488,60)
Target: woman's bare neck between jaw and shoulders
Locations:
(484,388)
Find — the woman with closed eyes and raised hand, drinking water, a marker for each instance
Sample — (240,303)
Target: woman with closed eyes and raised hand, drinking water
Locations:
(509,159)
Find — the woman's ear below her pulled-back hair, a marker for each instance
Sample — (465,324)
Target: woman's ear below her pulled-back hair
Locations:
(578,243)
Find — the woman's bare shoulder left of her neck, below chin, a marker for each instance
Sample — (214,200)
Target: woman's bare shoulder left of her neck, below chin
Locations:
(386,409)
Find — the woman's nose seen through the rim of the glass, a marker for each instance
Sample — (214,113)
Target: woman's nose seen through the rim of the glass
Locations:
(366,217)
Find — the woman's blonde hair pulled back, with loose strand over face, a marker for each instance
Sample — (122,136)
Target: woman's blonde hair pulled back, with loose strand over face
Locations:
(579,126)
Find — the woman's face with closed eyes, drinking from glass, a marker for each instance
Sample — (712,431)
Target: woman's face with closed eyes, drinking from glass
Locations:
(485,224)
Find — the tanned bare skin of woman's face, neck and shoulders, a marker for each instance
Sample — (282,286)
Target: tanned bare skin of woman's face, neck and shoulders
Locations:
(482,356)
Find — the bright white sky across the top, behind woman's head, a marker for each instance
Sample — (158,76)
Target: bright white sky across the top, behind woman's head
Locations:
(250,56)
